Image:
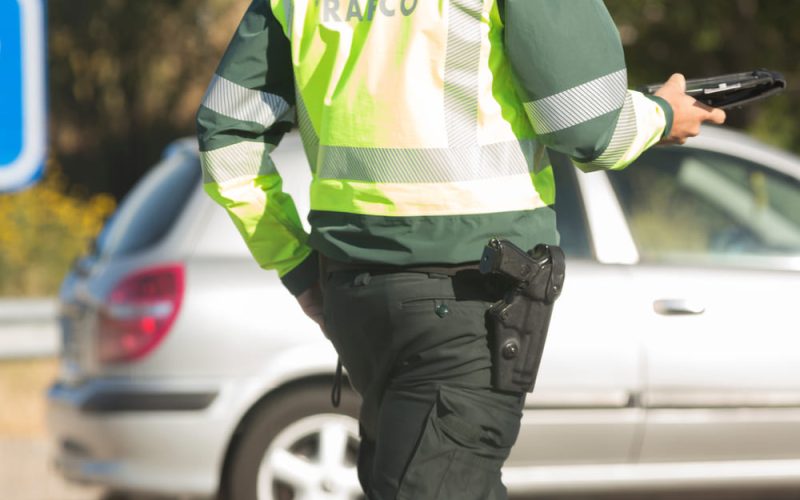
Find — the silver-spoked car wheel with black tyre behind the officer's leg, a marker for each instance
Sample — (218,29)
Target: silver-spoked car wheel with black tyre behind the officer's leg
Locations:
(297,446)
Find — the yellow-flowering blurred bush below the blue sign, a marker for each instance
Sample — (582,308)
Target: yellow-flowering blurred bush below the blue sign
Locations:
(44,229)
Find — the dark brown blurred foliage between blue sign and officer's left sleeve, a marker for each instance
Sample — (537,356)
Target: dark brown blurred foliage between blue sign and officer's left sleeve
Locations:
(126,78)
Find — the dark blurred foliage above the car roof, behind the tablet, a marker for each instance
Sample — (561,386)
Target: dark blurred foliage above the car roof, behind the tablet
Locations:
(712,37)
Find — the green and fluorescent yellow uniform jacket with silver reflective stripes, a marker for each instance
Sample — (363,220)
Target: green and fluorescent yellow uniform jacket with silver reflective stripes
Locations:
(425,124)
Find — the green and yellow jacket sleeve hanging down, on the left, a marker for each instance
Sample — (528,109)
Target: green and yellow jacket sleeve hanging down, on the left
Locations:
(247,109)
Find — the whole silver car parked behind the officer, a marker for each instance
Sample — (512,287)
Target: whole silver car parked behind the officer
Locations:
(673,358)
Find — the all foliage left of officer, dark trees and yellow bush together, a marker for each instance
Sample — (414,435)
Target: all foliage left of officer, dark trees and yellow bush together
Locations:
(125,79)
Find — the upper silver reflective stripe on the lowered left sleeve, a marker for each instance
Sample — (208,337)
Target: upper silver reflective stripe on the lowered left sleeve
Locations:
(232,100)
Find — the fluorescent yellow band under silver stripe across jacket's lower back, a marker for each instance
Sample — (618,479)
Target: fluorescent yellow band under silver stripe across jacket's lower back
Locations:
(504,194)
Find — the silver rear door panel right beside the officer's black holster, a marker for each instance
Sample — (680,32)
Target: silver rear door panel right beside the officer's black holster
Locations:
(580,410)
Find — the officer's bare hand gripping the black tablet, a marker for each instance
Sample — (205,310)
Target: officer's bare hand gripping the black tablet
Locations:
(687,112)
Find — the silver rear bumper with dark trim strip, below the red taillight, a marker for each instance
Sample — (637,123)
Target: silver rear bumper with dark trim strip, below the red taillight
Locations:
(117,449)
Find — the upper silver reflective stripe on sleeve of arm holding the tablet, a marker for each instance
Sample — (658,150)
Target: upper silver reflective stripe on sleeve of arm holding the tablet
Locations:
(578,104)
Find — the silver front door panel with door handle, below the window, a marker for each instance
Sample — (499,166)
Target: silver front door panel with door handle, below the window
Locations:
(724,374)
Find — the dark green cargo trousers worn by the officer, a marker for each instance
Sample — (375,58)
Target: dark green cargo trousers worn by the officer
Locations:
(415,347)
